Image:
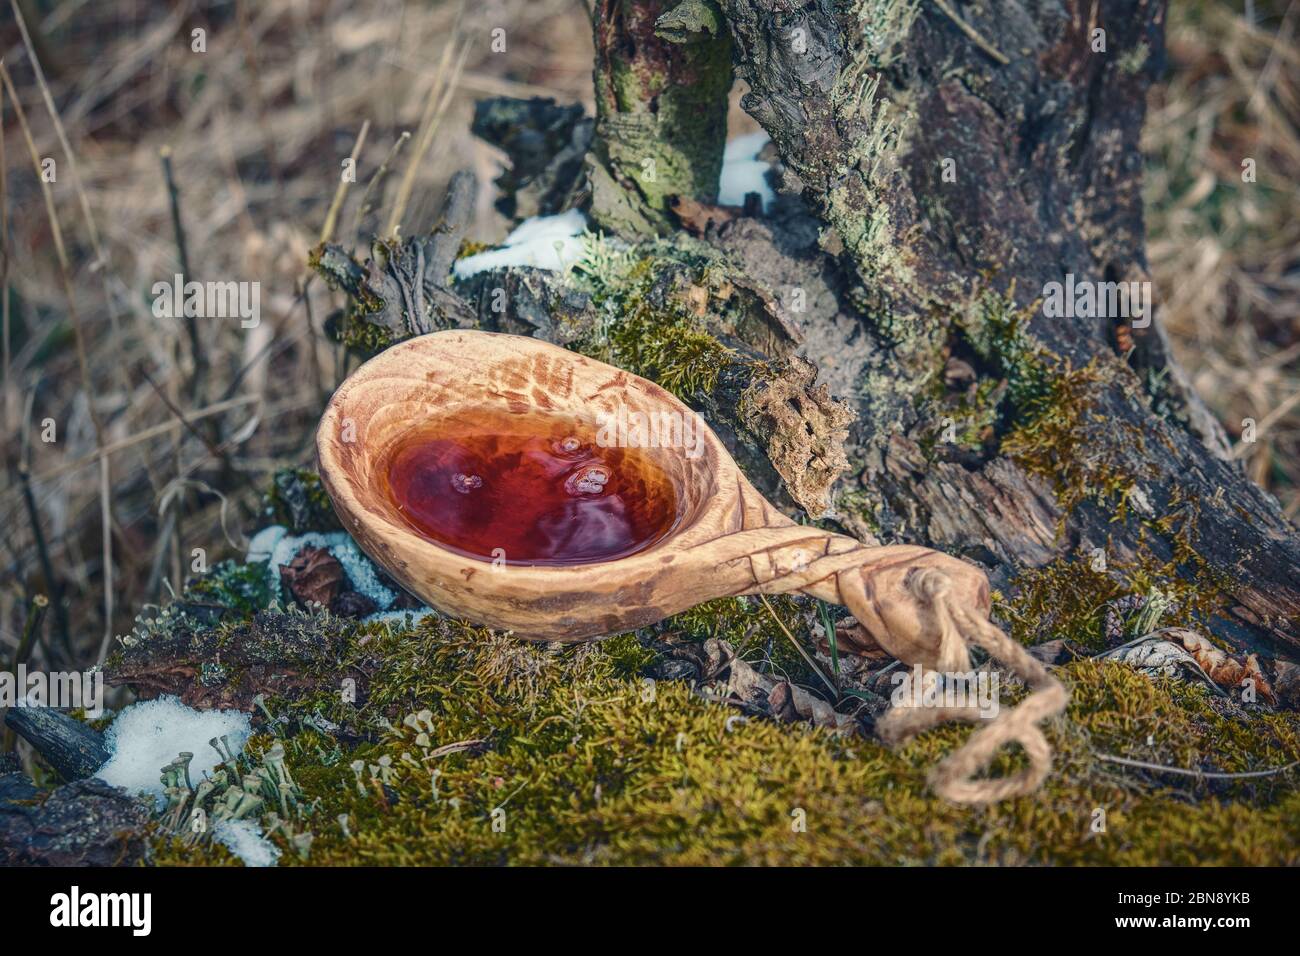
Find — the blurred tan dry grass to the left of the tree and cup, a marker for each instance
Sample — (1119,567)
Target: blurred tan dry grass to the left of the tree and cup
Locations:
(258,128)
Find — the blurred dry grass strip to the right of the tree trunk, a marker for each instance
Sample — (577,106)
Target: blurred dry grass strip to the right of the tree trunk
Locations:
(1227,254)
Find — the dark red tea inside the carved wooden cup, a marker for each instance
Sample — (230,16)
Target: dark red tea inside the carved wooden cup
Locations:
(528,490)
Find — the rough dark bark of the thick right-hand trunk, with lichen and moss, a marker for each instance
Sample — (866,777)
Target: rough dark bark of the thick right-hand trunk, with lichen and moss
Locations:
(1048,178)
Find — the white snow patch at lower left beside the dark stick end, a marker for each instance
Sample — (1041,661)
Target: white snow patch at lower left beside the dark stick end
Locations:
(149,736)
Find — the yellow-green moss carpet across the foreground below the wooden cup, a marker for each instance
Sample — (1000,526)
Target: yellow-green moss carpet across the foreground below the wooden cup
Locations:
(579,764)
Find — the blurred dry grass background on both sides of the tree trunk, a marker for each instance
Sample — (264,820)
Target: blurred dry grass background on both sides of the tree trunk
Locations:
(129,440)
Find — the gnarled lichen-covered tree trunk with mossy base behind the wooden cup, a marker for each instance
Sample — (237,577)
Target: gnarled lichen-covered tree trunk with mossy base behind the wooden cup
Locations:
(964,172)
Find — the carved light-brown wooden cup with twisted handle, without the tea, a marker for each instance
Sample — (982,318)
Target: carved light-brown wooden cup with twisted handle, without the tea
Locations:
(730,539)
